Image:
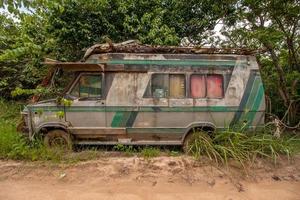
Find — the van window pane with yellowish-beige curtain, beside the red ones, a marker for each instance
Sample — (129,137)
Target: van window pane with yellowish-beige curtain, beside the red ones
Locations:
(177,85)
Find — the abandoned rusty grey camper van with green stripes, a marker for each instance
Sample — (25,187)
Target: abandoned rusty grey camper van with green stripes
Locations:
(143,95)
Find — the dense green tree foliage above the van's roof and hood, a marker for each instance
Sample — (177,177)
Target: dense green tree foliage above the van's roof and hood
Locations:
(62,29)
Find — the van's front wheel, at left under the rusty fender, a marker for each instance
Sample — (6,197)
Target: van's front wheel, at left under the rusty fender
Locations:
(58,139)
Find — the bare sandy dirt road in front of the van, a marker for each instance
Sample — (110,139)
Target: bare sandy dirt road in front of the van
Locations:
(160,178)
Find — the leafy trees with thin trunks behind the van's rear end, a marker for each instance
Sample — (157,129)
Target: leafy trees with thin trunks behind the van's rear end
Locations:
(272,25)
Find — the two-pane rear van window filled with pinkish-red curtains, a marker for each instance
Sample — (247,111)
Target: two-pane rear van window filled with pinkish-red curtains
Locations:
(206,86)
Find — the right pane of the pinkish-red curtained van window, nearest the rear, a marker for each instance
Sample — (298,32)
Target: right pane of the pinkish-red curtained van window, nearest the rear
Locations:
(214,86)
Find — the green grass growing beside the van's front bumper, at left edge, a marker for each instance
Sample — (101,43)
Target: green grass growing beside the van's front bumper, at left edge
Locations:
(14,145)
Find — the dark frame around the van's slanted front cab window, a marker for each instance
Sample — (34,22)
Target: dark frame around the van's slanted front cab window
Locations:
(77,79)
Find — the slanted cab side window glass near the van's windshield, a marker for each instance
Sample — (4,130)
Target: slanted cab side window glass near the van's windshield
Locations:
(88,86)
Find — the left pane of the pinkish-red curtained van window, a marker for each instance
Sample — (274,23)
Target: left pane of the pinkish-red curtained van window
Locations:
(198,86)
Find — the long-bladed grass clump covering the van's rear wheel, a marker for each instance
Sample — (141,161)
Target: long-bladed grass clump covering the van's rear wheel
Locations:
(240,146)
